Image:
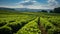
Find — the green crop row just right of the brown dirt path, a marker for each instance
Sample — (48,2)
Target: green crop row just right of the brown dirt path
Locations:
(50,28)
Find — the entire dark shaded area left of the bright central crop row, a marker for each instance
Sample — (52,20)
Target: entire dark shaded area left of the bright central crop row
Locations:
(14,27)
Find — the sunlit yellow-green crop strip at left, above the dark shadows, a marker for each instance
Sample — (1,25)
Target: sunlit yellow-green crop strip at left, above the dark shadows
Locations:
(15,18)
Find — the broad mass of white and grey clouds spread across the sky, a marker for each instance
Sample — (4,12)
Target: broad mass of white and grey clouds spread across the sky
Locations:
(33,4)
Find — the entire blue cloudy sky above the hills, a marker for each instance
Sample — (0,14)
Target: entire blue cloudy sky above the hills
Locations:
(31,4)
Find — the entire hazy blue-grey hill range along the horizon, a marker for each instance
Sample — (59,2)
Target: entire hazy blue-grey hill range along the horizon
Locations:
(23,9)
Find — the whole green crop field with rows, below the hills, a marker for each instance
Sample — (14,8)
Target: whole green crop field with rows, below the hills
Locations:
(28,22)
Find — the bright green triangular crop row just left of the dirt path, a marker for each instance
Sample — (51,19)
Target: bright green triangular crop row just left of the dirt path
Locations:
(30,28)
